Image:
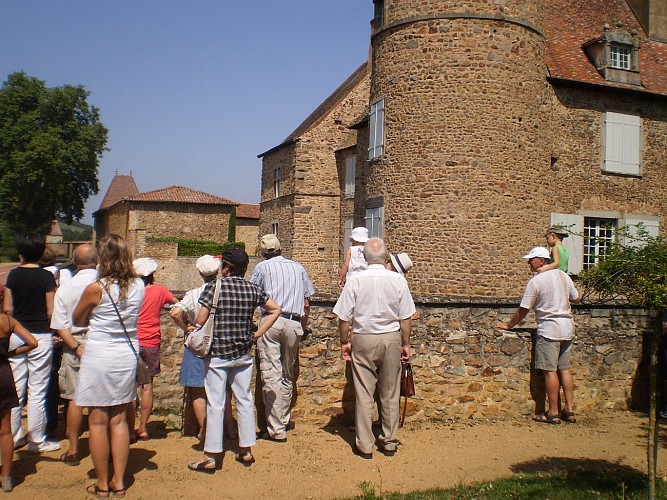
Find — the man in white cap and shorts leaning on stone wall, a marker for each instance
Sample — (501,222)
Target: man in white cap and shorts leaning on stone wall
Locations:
(549,294)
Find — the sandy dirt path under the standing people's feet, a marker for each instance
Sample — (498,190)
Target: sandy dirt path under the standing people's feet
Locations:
(318,463)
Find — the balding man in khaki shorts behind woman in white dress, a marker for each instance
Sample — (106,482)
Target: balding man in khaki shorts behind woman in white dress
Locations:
(74,339)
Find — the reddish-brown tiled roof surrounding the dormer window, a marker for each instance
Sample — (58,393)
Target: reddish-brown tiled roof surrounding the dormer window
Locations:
(570,24)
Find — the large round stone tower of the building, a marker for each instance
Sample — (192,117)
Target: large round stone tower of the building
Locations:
(466,139)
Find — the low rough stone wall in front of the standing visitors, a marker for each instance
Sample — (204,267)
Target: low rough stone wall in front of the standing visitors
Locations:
(463,366)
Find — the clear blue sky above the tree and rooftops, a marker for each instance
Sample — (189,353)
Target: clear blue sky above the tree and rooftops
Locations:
(191,91)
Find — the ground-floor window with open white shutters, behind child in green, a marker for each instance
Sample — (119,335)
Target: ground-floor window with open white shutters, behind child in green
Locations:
(593,232)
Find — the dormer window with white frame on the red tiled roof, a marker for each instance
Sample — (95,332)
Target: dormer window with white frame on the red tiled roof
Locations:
(615,56)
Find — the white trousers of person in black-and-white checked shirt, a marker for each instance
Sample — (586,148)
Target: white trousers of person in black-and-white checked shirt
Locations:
(237,373)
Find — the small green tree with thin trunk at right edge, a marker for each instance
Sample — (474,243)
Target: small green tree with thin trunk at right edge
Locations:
(636,273)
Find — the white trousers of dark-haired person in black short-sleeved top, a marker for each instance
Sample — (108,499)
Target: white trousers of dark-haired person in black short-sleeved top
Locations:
(31,374)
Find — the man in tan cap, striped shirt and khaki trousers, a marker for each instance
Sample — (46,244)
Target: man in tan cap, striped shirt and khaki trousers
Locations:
(288,284)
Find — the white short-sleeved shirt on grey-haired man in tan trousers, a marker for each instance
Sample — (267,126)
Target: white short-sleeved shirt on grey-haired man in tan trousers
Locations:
(375,300)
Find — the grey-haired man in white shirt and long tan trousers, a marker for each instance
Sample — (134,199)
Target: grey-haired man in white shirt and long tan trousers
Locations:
(379,305)
